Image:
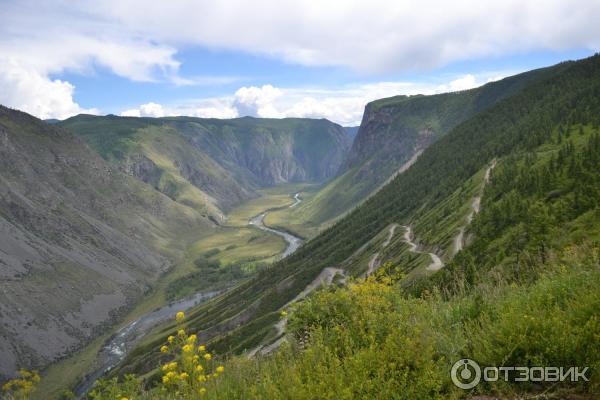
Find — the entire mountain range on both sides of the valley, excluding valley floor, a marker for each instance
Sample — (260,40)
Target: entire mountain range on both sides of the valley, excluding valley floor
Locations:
(453,225)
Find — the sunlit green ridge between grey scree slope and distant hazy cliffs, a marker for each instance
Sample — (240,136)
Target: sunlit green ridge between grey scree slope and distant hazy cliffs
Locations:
(175,168)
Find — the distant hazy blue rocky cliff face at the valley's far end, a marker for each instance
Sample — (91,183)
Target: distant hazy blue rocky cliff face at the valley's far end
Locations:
(267,152)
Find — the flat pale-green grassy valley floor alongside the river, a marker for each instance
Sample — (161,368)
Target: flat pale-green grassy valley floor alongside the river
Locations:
(235,243)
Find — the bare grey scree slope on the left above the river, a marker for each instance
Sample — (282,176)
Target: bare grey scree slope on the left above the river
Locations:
(80,242)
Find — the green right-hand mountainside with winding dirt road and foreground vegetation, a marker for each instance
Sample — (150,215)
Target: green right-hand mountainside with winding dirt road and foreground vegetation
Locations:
(486,247)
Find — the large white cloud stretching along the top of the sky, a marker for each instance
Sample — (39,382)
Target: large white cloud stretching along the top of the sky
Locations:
(378,35)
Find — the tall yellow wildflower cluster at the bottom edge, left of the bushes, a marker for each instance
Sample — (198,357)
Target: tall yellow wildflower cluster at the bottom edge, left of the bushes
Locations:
(192,366)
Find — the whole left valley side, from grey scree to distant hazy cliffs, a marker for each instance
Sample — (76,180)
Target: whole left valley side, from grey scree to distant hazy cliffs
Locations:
(93,210)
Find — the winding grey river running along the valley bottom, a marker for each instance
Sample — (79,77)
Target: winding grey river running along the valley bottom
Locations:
(116,348)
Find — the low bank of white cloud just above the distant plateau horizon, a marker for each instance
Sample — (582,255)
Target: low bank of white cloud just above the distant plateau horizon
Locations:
(344,106)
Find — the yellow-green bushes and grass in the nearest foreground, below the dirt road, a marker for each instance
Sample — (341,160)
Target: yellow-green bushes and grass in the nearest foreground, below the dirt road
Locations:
(370,340)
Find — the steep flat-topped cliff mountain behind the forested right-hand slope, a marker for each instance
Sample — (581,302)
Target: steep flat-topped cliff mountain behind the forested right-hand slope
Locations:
(395,130)
